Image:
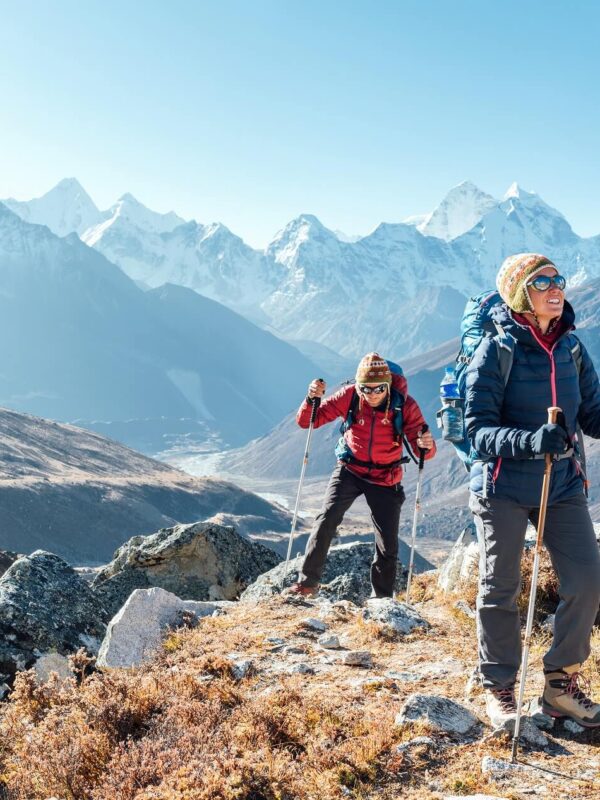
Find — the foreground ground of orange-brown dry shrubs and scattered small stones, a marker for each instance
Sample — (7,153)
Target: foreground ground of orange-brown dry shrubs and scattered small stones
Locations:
(290,700)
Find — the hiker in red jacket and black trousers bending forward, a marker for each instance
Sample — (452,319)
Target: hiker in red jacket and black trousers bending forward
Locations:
(376,414)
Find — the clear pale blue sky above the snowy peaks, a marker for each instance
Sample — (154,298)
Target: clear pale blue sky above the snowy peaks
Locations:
(253,112)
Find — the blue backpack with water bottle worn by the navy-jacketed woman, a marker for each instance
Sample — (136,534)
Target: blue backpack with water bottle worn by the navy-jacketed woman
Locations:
(475,324)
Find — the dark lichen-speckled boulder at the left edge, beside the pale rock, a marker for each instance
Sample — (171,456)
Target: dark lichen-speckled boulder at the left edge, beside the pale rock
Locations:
(45,607)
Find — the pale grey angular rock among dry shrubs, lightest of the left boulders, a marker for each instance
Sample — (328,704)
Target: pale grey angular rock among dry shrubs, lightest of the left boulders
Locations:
(135,633)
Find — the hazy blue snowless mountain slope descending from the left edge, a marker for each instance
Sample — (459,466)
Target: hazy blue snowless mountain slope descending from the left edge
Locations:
(83,342)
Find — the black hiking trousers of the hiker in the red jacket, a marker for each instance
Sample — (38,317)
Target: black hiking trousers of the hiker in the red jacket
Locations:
(384,502)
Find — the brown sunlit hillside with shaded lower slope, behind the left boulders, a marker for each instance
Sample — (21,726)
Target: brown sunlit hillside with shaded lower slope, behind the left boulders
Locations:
(82,495)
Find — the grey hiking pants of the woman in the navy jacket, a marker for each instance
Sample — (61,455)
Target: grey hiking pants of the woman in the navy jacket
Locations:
(570,540)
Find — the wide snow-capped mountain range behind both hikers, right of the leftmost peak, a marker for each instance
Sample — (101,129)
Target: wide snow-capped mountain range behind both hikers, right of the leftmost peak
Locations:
(400,289)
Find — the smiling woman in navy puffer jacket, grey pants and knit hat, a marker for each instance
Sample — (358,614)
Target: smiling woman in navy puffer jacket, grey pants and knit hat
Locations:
(507,426)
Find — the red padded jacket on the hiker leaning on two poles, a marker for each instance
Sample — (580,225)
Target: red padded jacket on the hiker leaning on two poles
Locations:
(369,438)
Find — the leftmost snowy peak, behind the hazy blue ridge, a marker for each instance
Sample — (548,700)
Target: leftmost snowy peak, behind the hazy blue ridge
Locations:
(67,208)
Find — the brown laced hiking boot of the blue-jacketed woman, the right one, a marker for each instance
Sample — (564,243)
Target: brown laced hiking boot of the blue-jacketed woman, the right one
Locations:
(565,696)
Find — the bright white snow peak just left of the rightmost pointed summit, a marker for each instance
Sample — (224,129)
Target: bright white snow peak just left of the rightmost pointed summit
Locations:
(461,209)
